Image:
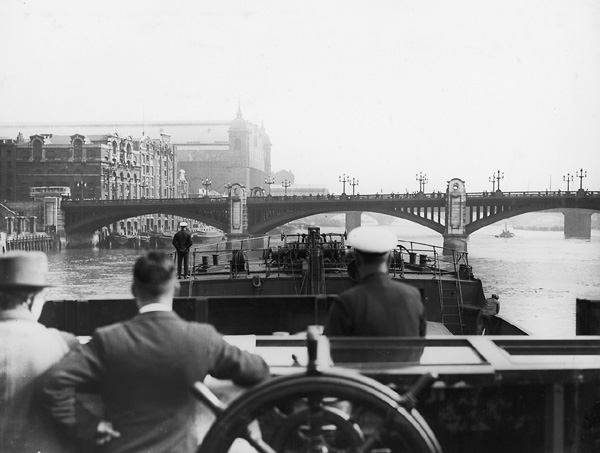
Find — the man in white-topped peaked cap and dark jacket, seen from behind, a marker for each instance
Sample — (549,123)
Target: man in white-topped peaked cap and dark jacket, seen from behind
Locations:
(377,305)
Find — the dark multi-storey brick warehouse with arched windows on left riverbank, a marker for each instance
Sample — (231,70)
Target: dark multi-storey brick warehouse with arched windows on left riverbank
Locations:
(96,167)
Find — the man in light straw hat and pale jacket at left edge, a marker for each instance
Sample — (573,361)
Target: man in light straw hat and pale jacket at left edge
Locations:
(27,349)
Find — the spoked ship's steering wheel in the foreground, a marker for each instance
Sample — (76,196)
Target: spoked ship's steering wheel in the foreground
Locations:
(333,411)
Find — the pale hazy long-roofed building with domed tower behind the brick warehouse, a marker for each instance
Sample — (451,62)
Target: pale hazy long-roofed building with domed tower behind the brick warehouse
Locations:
(229,151)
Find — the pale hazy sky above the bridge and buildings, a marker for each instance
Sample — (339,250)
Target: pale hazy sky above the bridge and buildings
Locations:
(379,90)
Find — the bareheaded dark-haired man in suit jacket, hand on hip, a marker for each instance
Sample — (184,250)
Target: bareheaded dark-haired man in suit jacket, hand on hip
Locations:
(144,369)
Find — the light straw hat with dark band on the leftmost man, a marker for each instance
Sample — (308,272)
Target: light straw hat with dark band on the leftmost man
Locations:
(23,270)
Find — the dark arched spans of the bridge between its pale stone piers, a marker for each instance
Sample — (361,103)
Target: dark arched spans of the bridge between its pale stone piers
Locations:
(266,213)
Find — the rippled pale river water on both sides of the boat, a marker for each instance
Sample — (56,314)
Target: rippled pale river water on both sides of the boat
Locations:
(537,274)
